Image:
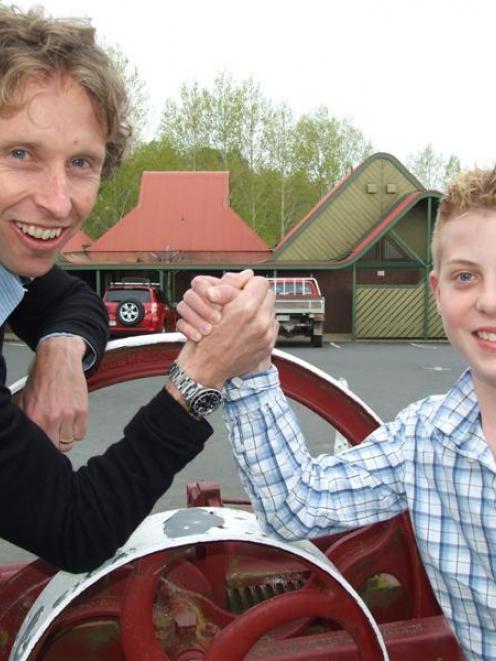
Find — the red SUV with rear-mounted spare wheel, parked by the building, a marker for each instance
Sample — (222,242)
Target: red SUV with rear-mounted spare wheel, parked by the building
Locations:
(136,307)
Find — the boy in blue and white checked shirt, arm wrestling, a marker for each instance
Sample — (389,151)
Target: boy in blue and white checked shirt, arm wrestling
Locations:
(436,459)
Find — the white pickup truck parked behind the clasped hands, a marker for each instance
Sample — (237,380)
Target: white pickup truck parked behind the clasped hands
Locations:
(300,308)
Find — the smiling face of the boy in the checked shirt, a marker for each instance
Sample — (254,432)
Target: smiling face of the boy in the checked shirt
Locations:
(465,289)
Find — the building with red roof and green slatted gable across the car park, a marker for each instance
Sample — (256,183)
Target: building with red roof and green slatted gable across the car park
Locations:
(367,242)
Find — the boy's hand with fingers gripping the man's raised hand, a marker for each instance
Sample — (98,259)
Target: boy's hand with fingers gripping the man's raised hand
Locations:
(201,307)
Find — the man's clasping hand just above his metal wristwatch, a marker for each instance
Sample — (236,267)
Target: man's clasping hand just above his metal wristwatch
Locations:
(241,342)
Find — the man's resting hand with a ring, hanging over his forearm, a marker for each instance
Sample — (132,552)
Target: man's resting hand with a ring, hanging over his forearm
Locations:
(56,394)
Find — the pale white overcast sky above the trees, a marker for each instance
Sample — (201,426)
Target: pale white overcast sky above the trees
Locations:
(407,73)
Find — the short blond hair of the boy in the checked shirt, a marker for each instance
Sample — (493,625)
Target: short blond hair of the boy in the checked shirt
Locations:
(473,189)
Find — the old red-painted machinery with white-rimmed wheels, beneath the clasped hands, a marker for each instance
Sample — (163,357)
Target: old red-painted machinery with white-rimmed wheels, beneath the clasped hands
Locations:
(206,583)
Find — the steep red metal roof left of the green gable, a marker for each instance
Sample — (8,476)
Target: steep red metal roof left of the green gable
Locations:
(181,217)
